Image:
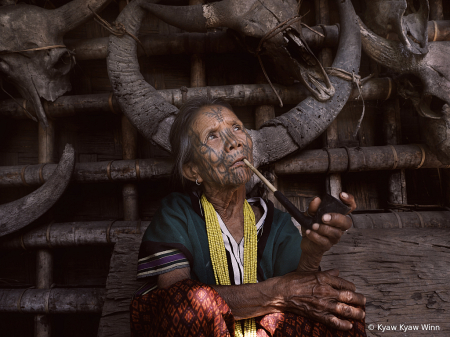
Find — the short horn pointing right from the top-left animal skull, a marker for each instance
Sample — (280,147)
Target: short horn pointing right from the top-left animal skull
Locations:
(75,13)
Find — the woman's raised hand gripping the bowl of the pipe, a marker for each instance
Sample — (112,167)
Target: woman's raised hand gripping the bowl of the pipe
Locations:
(323,236)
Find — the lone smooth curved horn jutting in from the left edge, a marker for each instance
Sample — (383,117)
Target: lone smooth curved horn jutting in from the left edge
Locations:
(20,213)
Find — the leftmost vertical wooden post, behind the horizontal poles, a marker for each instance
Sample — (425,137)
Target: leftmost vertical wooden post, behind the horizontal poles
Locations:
(44,258)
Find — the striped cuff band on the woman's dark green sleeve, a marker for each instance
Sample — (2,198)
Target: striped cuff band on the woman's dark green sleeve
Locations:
(161,262)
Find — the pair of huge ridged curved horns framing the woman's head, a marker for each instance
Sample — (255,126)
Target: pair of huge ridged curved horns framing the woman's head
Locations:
(153,116)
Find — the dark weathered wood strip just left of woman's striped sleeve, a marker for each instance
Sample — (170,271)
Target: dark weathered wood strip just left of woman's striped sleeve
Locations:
(120,286)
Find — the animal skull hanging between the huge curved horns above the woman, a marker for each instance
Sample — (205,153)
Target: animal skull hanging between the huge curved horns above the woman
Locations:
(290,58)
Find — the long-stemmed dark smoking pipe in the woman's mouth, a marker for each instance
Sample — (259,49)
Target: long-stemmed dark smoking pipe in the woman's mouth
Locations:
(329,204)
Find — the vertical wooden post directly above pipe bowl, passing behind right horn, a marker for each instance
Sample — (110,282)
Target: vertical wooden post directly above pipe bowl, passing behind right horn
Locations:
(333,180)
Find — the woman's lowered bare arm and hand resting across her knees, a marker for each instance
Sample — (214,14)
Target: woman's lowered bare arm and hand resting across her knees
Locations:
(321,296)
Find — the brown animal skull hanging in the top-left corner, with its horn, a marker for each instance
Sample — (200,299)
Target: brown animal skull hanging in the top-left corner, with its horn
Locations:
(40,73)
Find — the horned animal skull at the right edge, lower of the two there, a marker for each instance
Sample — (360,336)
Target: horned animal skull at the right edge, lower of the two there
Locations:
(432,69)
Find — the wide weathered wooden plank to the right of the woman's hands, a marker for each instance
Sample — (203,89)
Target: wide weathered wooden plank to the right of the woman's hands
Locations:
(402,273)
